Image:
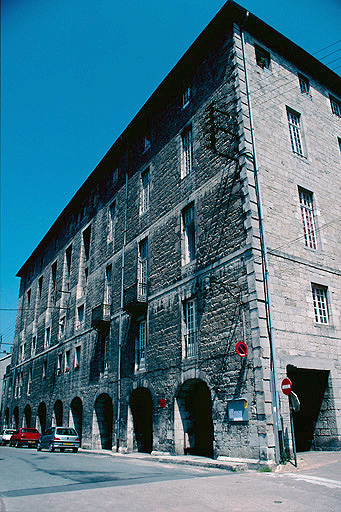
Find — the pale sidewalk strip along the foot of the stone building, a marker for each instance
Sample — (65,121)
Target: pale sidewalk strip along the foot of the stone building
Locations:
(305,460)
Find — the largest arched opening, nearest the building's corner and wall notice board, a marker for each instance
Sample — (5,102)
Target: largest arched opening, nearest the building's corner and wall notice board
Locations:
(195,406)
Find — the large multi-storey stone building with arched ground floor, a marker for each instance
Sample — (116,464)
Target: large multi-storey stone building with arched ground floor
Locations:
(213,219)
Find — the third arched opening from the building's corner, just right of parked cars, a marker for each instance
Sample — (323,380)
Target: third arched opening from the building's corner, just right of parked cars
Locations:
(102,422)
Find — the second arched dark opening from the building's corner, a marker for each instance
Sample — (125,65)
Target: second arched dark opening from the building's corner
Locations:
(141,406)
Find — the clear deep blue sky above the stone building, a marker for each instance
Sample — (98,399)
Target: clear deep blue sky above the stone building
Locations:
(75,72)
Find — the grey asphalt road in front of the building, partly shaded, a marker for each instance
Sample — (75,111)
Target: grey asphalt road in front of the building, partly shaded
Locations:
(32,481)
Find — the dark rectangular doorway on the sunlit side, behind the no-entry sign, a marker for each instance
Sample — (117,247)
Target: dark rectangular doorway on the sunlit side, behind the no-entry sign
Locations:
(310,386)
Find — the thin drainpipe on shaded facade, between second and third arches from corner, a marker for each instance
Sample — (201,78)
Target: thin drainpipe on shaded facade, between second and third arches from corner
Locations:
(120,328)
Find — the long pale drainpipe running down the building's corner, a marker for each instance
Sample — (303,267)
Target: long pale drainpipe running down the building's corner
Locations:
(273,366)
